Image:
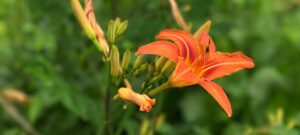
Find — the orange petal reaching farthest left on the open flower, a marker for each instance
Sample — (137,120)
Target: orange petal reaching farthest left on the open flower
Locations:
(163,48)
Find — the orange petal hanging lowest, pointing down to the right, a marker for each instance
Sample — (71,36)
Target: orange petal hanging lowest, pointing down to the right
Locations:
(218,94)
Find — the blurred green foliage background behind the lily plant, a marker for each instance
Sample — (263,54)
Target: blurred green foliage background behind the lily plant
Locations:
(45,54)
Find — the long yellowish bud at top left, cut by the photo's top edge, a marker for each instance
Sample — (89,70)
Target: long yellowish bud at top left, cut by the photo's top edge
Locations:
(79,13)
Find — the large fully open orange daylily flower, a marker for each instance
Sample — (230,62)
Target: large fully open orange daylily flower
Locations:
(197,61)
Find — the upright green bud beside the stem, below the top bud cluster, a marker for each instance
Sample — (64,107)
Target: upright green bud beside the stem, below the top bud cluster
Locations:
(115,62)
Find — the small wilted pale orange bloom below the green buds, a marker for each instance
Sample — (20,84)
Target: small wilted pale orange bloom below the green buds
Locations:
(142,100)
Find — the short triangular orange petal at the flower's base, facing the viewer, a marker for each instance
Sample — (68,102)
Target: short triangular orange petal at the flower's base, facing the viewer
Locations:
(183,75)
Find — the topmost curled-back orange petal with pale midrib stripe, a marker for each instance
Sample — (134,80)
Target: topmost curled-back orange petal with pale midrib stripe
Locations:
(187,44)
